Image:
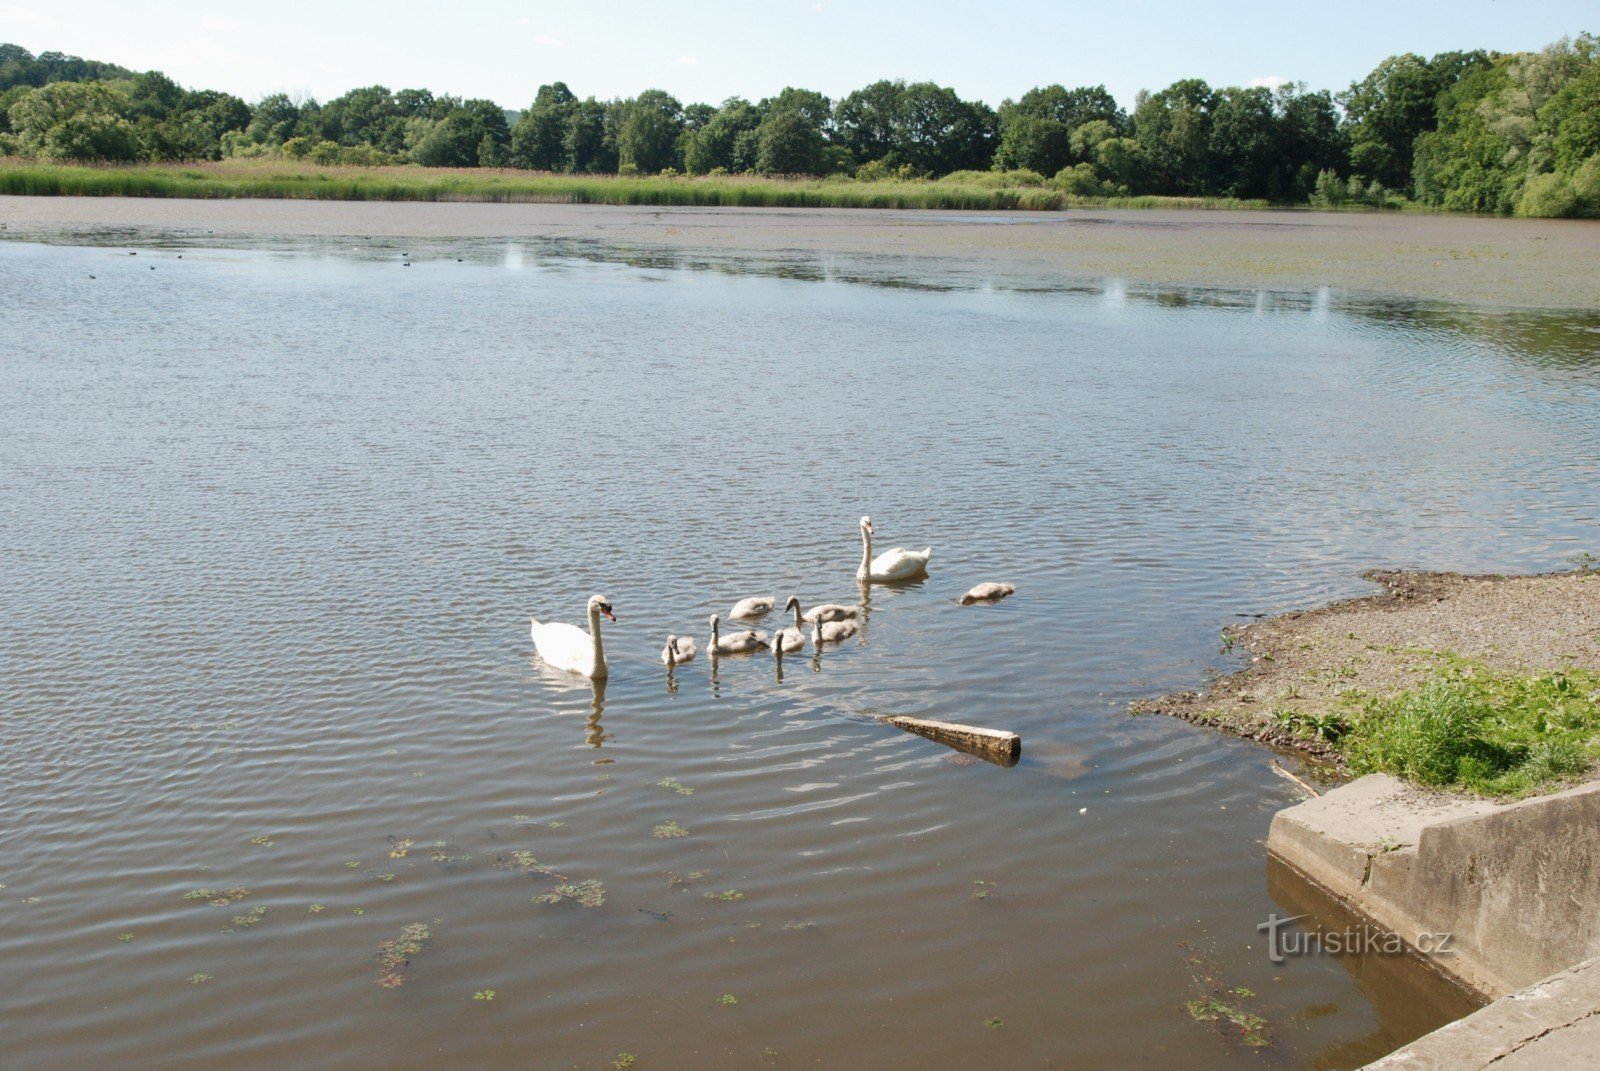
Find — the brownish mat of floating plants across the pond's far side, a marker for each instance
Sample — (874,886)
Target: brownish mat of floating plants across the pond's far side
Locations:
(1510,263)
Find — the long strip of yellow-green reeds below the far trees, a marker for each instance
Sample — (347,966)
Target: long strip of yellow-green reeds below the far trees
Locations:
(284,180)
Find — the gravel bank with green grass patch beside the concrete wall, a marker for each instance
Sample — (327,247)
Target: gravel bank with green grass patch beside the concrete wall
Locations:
(1479,684)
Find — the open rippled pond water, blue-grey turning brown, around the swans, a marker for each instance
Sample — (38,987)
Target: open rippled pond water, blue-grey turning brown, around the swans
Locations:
(278,515)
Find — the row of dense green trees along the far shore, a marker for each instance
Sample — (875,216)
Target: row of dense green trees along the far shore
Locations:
(1463,130)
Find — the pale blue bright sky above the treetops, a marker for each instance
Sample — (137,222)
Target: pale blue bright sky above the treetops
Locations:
(718,49)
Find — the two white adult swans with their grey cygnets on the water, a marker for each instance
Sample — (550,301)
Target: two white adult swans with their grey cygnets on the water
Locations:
(572,649)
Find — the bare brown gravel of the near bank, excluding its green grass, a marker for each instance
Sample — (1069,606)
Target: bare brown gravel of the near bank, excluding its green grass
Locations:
(1390,643)
